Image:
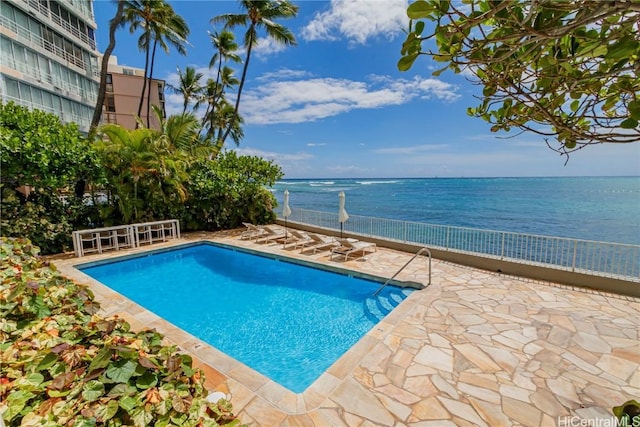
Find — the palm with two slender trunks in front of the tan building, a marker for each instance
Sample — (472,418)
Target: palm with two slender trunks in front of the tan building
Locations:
(160,25)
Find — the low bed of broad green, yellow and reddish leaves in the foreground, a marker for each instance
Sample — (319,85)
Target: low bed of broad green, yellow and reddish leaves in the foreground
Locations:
(63,364)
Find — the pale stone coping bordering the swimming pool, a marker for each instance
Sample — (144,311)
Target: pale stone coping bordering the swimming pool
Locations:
(234,371)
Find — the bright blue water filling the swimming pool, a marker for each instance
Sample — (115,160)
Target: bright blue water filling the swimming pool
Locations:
(287,321)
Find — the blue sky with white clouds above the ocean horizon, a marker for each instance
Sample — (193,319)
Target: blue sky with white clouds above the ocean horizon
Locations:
(336,106)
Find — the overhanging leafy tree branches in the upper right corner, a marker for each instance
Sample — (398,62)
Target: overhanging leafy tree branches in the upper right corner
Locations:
(567,70)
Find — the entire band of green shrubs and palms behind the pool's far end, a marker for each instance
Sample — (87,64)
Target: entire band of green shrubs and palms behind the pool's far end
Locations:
(54,181)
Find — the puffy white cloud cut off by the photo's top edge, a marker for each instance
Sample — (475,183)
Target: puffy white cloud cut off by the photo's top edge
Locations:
(358,20)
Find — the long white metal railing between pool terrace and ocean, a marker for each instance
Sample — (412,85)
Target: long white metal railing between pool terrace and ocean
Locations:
(586,256)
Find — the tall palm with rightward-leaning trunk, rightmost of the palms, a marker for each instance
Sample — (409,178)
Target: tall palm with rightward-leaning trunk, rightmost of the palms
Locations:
(259,14)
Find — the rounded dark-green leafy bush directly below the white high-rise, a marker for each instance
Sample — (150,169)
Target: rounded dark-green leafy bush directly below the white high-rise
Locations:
(44,167)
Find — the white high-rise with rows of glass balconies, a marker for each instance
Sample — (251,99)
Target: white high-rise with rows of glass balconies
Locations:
(49,59)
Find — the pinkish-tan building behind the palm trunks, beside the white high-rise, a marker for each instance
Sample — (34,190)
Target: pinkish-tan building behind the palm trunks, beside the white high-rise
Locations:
(122,96)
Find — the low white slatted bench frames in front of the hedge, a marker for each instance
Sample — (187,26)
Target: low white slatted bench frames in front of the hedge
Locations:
(98,240)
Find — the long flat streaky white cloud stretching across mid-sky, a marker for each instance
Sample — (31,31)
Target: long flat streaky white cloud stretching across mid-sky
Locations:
(298,101)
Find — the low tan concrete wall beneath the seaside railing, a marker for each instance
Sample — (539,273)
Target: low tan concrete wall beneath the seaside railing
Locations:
(538,272)
